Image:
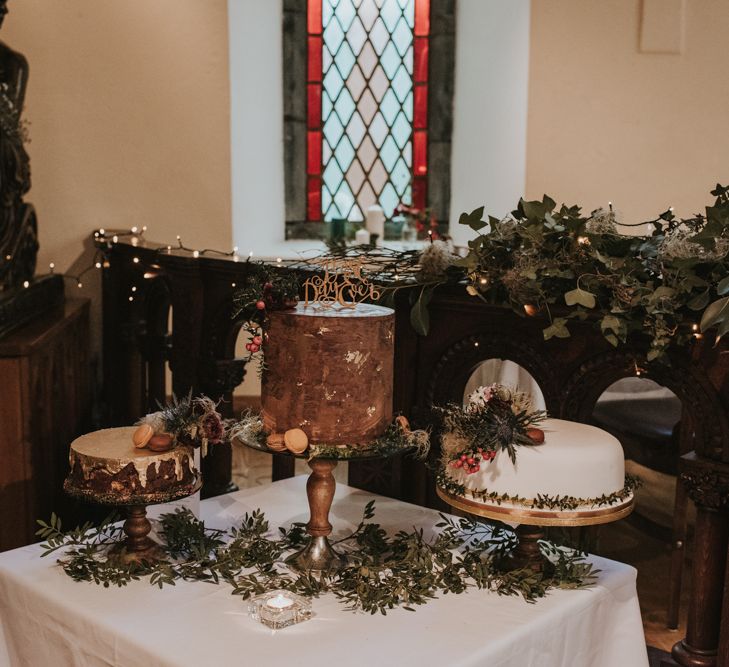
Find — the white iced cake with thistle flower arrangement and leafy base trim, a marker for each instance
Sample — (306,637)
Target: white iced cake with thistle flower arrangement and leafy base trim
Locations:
(579,468)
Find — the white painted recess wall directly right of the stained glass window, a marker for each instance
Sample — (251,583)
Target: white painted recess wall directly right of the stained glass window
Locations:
(488,162)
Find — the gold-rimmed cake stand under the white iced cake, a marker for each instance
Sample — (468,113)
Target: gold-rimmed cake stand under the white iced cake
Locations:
(533,521)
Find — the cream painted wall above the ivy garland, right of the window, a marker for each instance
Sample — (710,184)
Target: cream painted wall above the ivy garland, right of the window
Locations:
(609,123)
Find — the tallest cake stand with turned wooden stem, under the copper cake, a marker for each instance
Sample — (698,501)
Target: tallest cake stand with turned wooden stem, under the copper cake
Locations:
(318,556)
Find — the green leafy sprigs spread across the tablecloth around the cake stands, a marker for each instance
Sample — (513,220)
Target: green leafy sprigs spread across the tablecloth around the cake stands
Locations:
(382,572)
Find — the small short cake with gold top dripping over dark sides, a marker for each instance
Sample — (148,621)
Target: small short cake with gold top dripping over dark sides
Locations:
(106,467)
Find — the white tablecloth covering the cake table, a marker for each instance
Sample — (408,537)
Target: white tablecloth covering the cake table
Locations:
(49,620)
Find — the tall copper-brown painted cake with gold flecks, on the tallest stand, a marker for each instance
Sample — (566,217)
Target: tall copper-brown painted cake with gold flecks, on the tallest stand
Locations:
(329,373)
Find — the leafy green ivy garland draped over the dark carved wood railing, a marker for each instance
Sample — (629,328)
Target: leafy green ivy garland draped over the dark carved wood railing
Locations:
(660,285)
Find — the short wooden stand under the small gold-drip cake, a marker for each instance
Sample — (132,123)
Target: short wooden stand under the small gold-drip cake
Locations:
(137,546)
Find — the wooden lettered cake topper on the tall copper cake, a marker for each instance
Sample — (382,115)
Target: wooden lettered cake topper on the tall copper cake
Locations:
(342,284)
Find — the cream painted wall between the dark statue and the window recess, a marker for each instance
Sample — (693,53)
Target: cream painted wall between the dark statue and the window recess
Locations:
(129,110)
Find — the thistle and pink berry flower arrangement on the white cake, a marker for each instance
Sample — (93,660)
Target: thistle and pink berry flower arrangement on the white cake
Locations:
(496,417)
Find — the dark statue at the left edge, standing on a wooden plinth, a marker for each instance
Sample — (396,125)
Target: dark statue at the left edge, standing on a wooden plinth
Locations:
(18,228)
